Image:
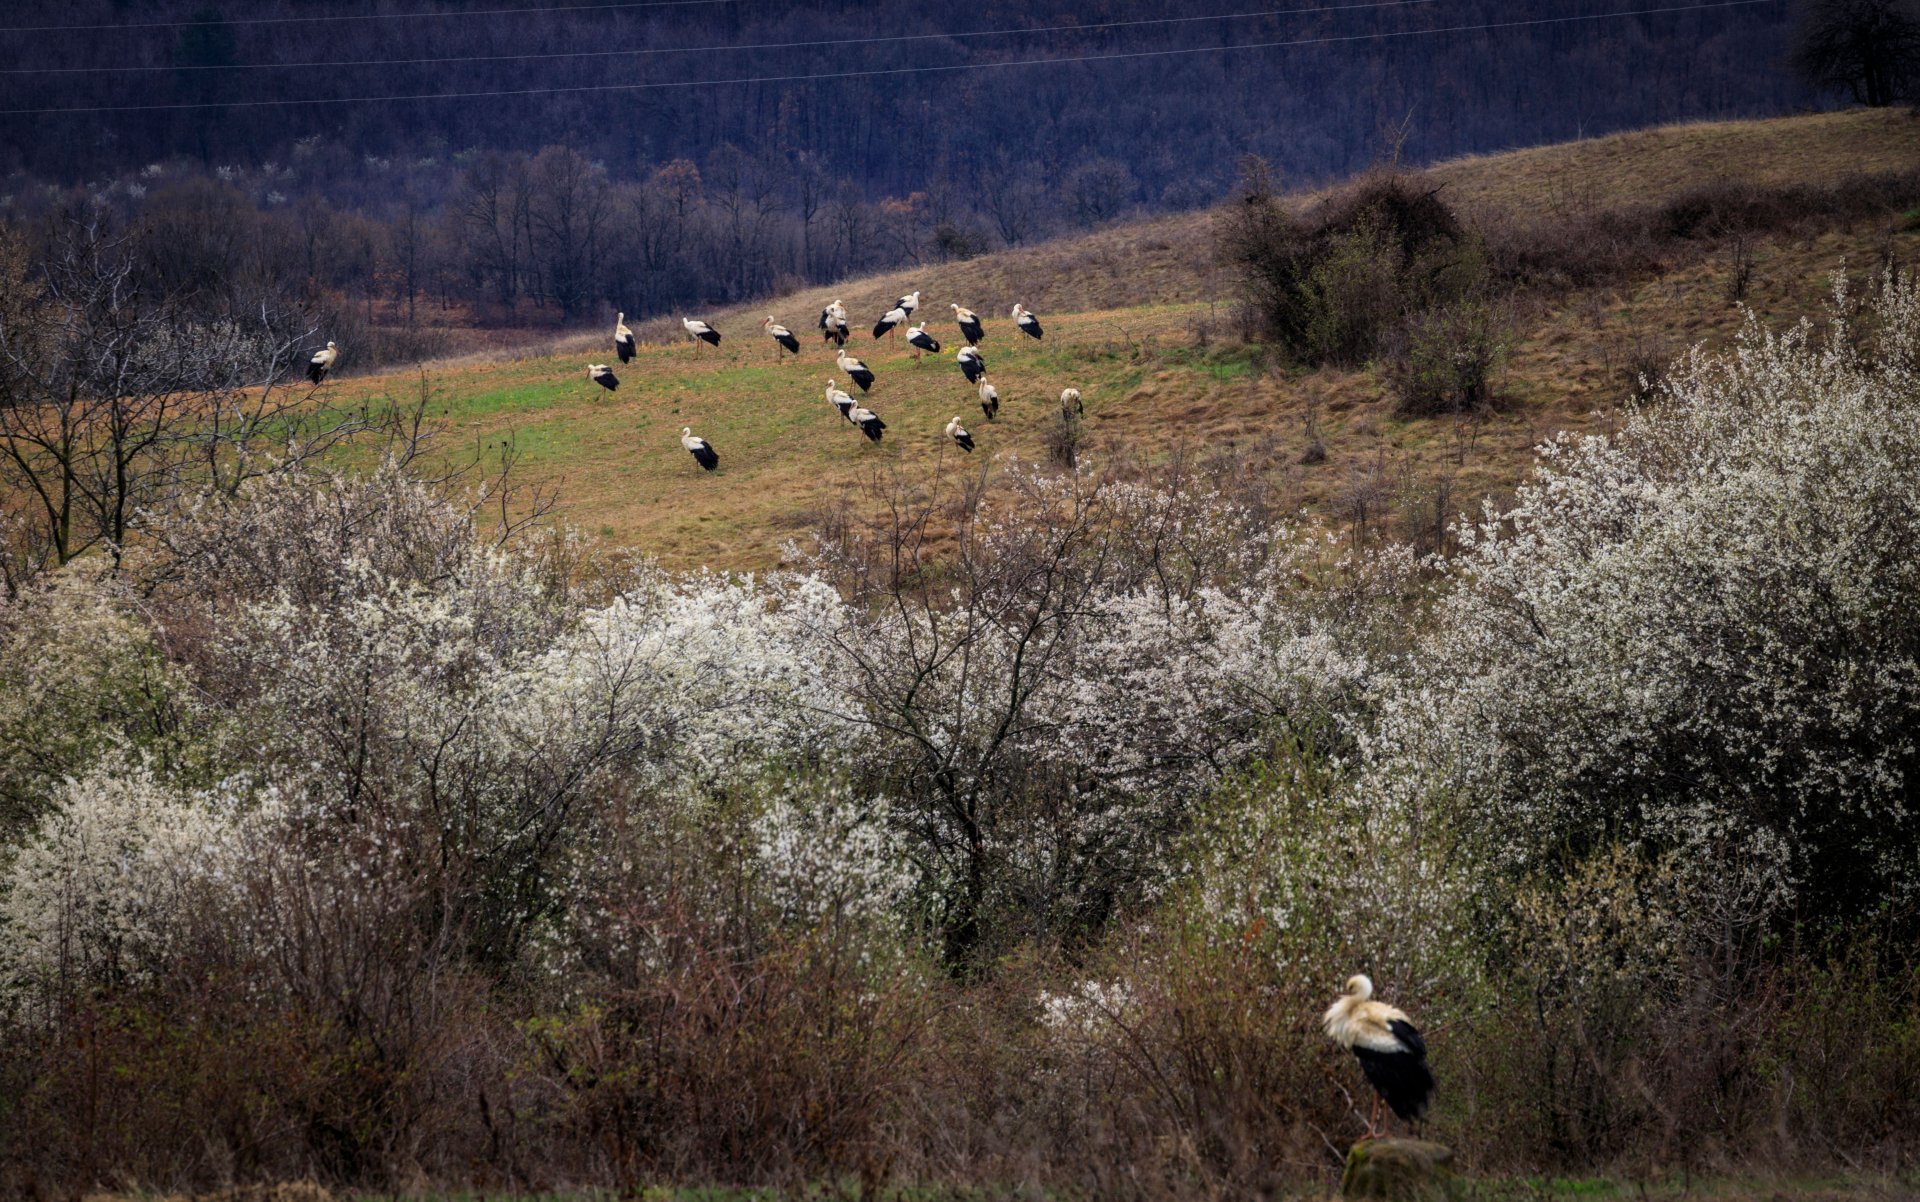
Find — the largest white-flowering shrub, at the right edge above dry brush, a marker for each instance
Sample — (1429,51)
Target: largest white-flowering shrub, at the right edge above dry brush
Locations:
(1702,633)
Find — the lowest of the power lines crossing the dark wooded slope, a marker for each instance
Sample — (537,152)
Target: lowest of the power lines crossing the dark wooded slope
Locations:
(882,72)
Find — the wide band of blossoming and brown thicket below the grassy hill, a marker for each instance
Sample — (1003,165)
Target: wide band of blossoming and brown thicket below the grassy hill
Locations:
(1013,842)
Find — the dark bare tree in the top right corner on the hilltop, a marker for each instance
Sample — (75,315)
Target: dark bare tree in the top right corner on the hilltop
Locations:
(1869,49)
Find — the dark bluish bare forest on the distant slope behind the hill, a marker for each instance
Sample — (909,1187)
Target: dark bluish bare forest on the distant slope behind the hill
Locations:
(656,199)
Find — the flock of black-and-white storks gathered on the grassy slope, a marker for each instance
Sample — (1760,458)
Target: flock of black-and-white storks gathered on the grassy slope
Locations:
(836,329)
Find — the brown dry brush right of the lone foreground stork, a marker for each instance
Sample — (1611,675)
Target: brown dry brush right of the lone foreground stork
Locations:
(1643,1022)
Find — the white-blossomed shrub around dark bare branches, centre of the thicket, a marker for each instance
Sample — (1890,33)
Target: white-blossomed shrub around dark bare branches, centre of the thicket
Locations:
(1049,692)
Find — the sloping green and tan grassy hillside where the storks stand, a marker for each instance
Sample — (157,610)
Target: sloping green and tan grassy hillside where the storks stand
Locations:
(1138,320)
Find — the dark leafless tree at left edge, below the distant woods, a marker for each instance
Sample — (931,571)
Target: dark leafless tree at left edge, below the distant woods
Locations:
(114,404)
